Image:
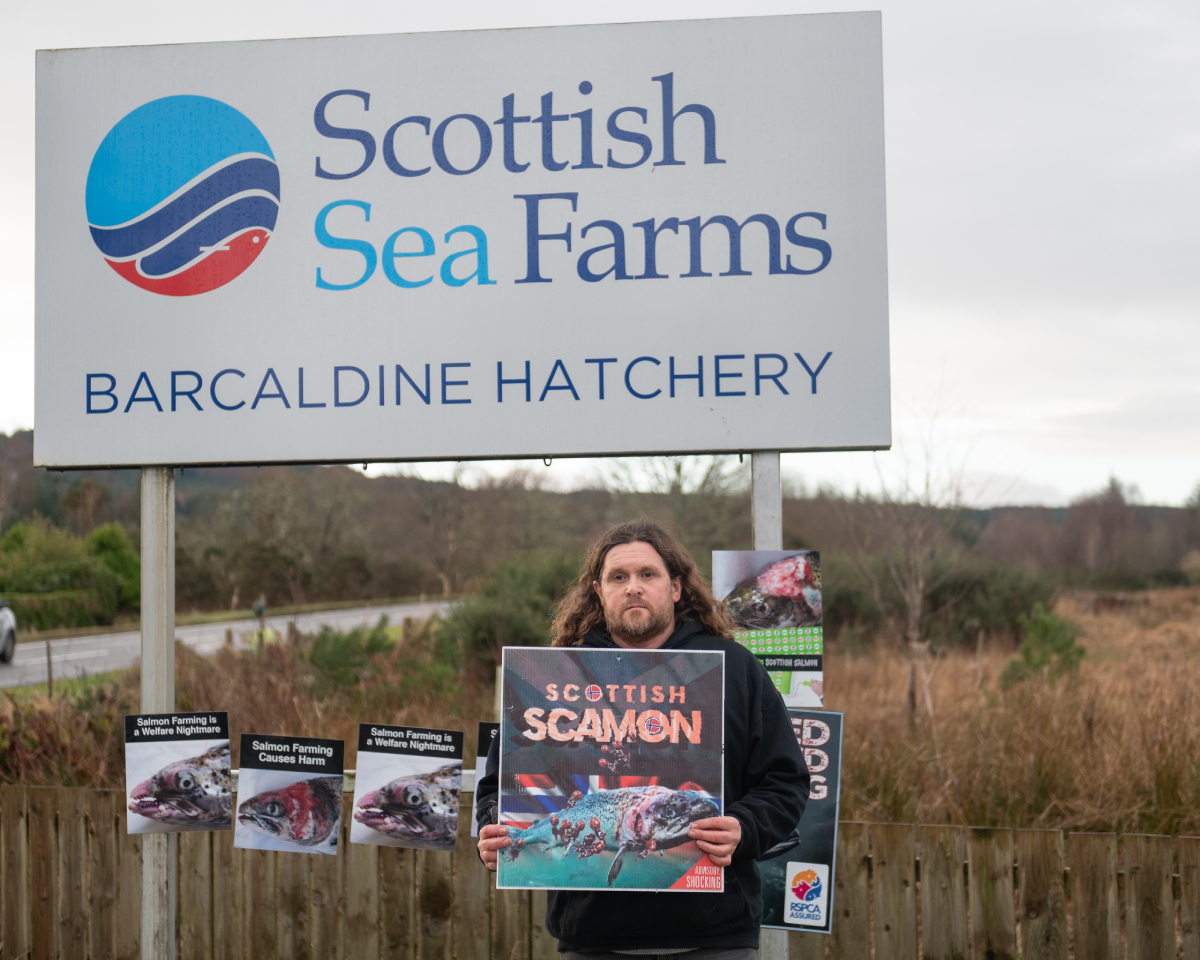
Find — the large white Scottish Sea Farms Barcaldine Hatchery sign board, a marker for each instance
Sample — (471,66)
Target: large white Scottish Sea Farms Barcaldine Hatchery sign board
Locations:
(631,239)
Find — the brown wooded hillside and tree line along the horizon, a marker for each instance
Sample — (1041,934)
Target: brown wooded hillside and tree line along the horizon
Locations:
(921,569)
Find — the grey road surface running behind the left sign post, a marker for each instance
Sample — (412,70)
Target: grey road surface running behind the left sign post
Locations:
(109,652)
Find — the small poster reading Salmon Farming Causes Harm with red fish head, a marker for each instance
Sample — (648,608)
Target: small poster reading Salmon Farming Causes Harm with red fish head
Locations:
(290,794)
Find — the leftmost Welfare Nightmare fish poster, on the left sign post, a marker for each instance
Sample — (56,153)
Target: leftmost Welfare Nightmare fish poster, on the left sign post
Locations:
(177,772)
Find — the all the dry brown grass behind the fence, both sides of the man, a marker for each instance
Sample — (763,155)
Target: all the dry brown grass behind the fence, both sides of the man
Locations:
(1115,748)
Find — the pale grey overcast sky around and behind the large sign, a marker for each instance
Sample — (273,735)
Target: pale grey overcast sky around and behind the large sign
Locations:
(1043,167)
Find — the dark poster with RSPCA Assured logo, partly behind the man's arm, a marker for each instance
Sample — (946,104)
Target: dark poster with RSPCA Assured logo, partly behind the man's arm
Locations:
(797,884)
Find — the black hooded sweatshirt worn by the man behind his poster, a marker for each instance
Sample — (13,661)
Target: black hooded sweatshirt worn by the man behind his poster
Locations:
(766,789)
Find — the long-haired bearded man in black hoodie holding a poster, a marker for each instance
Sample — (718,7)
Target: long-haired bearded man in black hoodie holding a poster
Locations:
(640,590)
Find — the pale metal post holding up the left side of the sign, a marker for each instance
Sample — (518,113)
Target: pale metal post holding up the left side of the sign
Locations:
(159,693)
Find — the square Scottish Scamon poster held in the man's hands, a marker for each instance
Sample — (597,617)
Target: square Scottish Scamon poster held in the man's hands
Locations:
(608,758)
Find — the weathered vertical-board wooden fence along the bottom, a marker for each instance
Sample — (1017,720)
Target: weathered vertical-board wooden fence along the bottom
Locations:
(71,887)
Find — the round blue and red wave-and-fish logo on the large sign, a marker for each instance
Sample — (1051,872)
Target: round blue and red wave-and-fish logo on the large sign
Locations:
(183,195)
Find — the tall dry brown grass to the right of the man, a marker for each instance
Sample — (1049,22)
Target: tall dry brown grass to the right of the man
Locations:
(1115,748)
